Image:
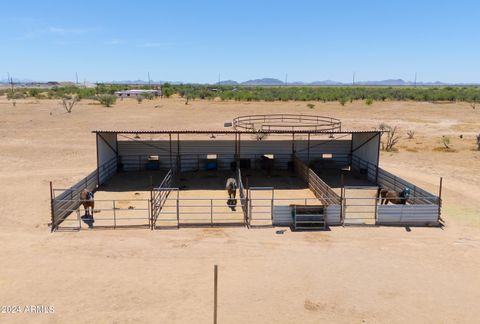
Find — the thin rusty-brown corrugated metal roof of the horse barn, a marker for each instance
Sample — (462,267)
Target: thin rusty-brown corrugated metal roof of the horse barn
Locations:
(234,131)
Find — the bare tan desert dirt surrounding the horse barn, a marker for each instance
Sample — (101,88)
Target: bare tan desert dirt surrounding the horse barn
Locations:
(346,275)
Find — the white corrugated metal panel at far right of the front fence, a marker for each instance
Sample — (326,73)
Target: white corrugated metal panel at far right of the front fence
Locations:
(407,214)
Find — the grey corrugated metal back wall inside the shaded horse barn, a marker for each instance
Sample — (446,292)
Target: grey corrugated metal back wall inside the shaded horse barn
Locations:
(134,154)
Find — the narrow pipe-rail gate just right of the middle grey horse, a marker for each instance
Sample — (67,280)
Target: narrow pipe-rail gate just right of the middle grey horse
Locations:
(260,206)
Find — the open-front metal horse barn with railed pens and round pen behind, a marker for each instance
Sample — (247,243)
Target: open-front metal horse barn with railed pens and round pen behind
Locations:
(301,171)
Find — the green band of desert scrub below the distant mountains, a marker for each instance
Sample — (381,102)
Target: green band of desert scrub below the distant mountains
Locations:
(343,94)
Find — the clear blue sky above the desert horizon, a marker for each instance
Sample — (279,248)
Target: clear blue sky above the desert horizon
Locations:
(194,41)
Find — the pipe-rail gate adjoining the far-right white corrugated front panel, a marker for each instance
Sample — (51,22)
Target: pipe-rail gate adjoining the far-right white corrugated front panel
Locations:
(359,205)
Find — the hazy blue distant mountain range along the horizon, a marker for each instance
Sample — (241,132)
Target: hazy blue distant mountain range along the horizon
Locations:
(271,82)
